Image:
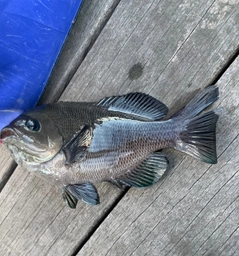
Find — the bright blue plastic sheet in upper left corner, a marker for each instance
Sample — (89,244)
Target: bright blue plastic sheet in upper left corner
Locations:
(32,35)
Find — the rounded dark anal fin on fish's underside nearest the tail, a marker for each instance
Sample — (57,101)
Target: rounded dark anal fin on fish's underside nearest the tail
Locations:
(147,173)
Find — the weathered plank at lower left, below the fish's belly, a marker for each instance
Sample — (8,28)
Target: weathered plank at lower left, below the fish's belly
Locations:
(35,221)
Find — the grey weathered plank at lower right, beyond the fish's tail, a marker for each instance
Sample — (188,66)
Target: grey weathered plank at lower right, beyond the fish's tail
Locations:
(193,210)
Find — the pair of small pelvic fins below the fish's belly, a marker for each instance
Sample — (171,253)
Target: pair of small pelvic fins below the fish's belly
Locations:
(85,192)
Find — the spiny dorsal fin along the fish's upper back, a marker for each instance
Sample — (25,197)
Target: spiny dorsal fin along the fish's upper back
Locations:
(138,104)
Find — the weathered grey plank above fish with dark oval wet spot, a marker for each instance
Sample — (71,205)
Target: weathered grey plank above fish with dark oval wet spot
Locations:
(177,43)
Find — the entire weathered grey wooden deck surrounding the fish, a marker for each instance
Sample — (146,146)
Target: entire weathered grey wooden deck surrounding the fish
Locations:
(169,49)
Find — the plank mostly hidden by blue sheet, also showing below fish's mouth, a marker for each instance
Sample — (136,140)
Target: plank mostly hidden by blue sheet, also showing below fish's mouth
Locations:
(90,20)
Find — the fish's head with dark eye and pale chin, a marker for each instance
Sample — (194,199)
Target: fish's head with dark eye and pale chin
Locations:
(32,139)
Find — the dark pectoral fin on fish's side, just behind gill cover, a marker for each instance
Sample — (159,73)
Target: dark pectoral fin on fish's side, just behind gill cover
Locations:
(74,150)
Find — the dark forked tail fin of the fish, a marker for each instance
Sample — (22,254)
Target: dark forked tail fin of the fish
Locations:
(198,134)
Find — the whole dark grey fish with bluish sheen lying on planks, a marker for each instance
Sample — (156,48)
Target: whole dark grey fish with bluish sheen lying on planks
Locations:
(118,139)
